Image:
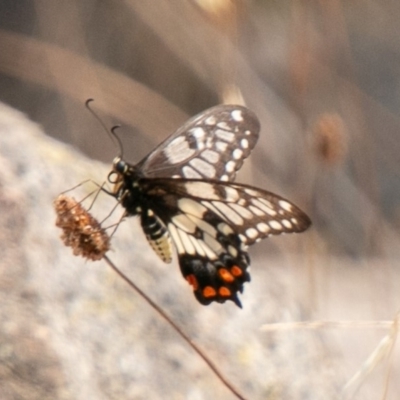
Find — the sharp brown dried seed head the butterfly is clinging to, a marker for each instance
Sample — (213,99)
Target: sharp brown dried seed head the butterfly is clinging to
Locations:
(81,230)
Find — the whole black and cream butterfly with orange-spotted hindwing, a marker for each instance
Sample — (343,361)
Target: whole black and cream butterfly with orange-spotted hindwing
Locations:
(183,193)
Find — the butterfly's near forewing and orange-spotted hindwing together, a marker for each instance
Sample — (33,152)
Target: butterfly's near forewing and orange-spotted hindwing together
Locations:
(212,223)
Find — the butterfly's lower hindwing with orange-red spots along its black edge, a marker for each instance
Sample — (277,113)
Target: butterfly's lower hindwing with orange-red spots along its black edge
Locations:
(211,255)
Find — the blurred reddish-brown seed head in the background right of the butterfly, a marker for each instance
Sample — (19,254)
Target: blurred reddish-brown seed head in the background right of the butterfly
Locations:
(330,139)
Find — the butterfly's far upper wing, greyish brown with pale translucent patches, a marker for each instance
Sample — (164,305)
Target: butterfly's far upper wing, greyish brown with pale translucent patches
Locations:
(211,145)
